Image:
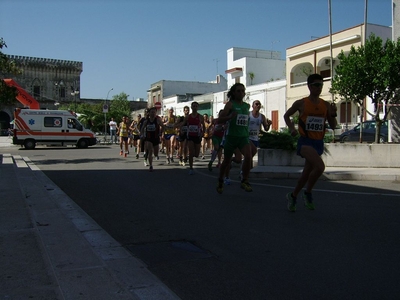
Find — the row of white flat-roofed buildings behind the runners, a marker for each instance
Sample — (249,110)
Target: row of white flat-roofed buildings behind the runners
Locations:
(264,66)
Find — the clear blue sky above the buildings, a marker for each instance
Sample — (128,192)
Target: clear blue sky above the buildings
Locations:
(129,44)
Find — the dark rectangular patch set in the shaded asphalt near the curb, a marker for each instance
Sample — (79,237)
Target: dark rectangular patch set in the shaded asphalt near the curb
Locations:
(167,252)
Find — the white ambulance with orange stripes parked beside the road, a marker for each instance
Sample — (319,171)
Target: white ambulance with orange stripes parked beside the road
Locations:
(50,127)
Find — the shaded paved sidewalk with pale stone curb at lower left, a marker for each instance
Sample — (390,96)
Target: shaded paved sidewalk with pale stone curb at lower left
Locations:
(51,249)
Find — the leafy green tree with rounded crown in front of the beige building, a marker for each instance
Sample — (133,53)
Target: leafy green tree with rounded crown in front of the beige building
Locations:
(371,70)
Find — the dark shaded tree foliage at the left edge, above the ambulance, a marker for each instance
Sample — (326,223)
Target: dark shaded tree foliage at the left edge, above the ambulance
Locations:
(7,67)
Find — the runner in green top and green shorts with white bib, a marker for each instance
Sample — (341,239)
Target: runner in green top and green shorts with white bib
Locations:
(237,135)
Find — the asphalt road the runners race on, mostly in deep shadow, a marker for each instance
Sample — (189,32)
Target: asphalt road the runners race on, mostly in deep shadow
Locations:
(237,245)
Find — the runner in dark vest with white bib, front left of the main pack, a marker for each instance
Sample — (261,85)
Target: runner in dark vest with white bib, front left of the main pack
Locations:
(152,130)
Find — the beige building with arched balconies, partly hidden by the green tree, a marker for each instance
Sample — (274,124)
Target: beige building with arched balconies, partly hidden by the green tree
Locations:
(315,57)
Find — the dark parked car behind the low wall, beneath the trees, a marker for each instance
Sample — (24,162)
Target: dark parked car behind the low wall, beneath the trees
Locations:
(368,133)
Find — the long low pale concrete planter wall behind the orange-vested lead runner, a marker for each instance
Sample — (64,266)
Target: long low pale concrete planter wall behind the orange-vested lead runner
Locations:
(339,155)
